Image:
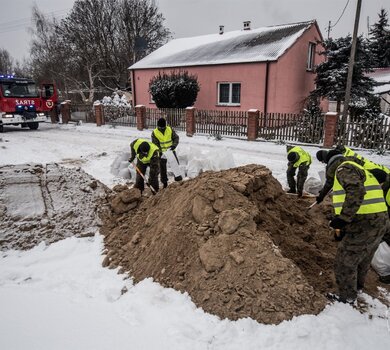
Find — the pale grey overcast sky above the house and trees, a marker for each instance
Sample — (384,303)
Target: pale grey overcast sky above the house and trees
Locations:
(197,17)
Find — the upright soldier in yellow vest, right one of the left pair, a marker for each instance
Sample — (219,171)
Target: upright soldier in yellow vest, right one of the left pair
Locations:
(164,137)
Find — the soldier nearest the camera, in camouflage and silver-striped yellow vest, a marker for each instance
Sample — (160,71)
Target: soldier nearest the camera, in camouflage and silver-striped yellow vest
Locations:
(361,218)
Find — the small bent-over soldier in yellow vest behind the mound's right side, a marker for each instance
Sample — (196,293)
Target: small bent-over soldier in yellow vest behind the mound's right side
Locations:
(297,158)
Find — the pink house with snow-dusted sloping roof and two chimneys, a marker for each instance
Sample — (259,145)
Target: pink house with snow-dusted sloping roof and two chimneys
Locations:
(270,69)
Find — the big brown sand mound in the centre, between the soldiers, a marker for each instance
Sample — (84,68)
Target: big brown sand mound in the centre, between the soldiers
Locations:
(232,239)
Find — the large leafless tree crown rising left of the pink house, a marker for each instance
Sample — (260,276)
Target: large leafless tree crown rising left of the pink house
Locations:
(96,43)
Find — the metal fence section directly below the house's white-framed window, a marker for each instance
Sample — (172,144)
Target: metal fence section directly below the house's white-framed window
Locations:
(216,123)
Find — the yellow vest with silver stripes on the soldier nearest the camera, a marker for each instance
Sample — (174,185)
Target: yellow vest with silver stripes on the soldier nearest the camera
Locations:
(373,201)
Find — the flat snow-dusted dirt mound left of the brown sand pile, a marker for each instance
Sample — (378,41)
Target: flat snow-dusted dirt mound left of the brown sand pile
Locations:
(47,203)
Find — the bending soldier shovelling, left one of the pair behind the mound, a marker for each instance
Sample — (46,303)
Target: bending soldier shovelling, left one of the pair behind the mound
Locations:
(147,154)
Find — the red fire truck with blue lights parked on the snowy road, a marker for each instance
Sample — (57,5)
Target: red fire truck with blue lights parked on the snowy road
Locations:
(22,102)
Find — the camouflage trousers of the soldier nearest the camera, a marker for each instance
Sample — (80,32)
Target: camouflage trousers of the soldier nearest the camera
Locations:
(354,254)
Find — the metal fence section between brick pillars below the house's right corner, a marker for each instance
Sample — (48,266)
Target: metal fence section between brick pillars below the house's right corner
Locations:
(291,127)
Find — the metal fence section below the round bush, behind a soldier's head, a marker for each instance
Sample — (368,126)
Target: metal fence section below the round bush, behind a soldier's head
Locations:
(175,117)
